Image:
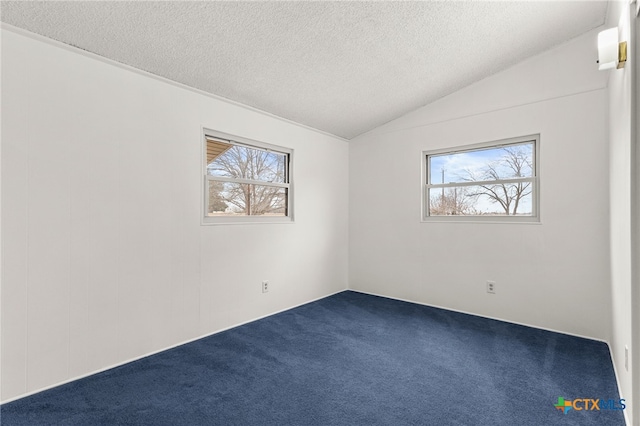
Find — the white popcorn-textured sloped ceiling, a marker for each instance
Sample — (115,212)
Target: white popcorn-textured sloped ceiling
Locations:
(340,67)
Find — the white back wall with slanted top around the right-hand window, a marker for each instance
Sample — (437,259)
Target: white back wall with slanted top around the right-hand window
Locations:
(553,275)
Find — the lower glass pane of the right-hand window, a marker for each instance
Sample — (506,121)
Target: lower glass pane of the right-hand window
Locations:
(482,200)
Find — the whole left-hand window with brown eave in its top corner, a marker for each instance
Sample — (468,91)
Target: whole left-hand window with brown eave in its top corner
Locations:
(245,181)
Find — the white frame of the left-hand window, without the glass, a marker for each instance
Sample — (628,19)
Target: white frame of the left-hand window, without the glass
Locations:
(250,143)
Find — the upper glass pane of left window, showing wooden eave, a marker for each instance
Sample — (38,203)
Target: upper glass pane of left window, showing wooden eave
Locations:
(241,162)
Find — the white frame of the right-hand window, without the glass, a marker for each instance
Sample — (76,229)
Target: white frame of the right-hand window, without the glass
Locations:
(534,218)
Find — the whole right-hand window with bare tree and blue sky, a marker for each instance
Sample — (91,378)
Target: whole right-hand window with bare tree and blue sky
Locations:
(497,181)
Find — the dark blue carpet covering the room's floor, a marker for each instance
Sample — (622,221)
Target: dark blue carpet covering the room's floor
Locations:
(348,359)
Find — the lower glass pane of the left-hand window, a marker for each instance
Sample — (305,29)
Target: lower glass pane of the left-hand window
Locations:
(239,199)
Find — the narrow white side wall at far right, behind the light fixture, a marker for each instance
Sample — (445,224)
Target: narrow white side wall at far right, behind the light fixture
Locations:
(621,159)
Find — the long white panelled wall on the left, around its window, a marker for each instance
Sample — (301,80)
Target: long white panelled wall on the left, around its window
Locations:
(104,258)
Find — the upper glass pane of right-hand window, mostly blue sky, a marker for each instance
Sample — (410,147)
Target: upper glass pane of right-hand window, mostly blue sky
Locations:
(510,161)
